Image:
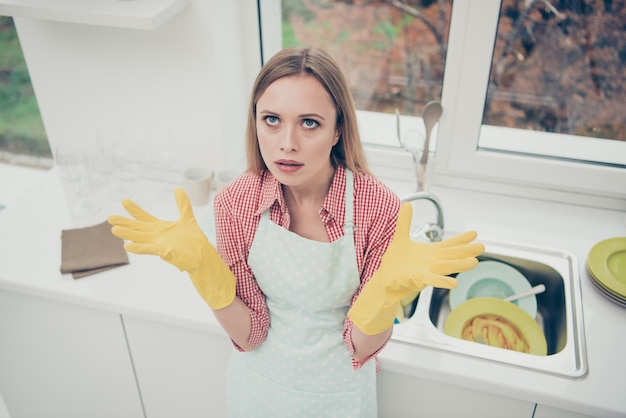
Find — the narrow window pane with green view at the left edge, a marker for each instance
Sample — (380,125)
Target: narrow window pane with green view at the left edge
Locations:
(23,138)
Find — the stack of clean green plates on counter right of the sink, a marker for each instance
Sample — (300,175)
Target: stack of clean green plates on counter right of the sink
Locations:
(606,265)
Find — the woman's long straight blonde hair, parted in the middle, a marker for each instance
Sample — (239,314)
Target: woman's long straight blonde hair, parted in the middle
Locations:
(317,63)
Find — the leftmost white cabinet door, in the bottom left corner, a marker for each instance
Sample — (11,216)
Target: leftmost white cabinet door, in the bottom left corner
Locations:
(61,360)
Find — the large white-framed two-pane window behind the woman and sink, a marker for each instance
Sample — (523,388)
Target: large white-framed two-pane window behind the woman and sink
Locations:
(533,91)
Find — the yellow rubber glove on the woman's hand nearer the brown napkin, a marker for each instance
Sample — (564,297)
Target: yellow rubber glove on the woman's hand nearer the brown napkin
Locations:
(182,244)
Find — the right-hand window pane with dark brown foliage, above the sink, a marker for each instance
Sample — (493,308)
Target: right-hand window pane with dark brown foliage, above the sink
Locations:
(558,68)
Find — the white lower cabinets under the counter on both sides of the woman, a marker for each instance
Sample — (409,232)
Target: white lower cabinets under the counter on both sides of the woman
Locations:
(62,360)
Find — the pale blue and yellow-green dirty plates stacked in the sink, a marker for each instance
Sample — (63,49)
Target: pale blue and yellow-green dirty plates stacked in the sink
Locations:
(479,314)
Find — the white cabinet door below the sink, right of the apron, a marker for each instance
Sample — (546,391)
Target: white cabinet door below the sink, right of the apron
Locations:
(402,396)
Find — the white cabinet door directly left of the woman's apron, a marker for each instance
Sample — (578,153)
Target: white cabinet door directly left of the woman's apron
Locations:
(181,371)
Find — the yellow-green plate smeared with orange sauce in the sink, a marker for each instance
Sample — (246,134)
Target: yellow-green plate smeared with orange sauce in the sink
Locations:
(497,323)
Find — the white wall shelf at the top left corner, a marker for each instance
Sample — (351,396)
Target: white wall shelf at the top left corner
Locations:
(132,14)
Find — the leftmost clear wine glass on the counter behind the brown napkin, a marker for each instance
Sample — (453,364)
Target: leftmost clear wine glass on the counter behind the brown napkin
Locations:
(76,165)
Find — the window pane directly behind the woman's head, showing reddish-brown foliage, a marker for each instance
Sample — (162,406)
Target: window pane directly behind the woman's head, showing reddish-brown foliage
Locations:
(392,52)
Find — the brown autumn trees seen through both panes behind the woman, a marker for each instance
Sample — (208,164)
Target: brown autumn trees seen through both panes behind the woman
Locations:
(558,66)
